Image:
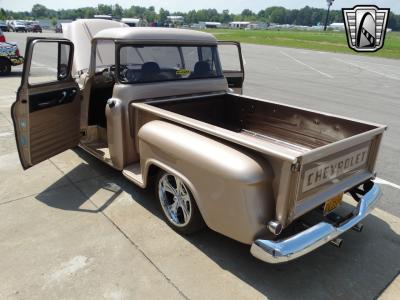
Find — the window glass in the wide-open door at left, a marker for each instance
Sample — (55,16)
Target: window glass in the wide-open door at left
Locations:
(50,62)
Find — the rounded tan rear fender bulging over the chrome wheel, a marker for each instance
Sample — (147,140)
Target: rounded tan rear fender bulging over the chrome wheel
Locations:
(232,186)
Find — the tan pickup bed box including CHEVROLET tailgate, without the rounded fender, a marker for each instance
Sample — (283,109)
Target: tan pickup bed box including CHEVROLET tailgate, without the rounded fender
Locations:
(316,155)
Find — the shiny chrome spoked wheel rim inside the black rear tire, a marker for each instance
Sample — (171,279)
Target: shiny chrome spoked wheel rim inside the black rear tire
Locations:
(175,200)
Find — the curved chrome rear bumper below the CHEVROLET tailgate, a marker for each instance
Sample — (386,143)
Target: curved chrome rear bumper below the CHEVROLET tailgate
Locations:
(313,237)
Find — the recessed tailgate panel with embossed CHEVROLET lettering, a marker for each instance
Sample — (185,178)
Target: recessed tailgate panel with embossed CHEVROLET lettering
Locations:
(327,171)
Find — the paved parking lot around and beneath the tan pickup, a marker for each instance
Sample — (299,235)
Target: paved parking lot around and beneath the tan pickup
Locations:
(73,228)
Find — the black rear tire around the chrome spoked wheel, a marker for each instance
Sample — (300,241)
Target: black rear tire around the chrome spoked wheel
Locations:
(194,223)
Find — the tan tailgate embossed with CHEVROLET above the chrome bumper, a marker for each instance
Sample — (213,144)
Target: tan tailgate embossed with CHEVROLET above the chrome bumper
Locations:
(325,172)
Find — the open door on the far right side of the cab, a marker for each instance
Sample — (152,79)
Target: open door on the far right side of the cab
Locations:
(232,64)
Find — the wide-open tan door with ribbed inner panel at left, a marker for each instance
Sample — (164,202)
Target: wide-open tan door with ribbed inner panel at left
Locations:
(46,113)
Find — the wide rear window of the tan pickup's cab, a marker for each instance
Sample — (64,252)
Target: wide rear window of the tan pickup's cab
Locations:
(138,64)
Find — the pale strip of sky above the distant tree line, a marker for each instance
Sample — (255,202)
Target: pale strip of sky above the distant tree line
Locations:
(235,6)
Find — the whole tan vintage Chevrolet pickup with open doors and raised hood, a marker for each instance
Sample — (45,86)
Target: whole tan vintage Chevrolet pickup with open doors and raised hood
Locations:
(164,106)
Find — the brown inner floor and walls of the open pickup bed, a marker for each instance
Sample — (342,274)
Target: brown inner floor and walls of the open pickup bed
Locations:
(298,129)
